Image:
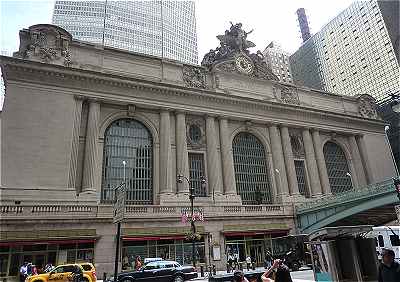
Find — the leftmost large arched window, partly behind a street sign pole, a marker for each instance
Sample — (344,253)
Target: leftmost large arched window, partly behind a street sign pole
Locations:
(128,140)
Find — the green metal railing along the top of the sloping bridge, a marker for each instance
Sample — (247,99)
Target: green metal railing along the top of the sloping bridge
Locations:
(368,191)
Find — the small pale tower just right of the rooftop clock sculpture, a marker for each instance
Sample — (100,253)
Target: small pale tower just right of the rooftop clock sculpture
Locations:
(278,60)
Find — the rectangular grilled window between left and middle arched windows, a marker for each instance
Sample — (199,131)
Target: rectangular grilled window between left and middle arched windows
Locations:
(196,170)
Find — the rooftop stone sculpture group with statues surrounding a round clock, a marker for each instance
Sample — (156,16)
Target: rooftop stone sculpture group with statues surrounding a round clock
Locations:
(233,55)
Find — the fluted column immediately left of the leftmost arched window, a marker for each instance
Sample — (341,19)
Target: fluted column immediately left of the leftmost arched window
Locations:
(91,165)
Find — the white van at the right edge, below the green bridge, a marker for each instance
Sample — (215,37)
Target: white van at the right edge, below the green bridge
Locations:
(385,239)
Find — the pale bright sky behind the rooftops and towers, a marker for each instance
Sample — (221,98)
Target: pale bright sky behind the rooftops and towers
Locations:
(270,19)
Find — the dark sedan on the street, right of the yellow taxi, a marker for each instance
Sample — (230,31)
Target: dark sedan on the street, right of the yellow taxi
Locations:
(159,271)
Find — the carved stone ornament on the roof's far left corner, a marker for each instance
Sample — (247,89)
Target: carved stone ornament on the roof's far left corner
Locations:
(45,43)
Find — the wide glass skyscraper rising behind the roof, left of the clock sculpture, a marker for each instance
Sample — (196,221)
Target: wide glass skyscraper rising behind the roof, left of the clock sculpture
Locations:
(159,28)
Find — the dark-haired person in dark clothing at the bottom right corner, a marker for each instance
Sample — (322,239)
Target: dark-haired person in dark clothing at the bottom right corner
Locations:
(389,270)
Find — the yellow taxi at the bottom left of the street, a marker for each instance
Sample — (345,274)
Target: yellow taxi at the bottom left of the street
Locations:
(63,273)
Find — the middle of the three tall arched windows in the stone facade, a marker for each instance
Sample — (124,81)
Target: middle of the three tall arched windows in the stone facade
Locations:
(251,171)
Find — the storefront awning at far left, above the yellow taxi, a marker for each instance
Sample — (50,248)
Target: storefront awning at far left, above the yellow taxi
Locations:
(67,236)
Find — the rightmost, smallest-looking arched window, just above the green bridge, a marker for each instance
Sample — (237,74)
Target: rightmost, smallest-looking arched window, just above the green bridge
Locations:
(338,170)
